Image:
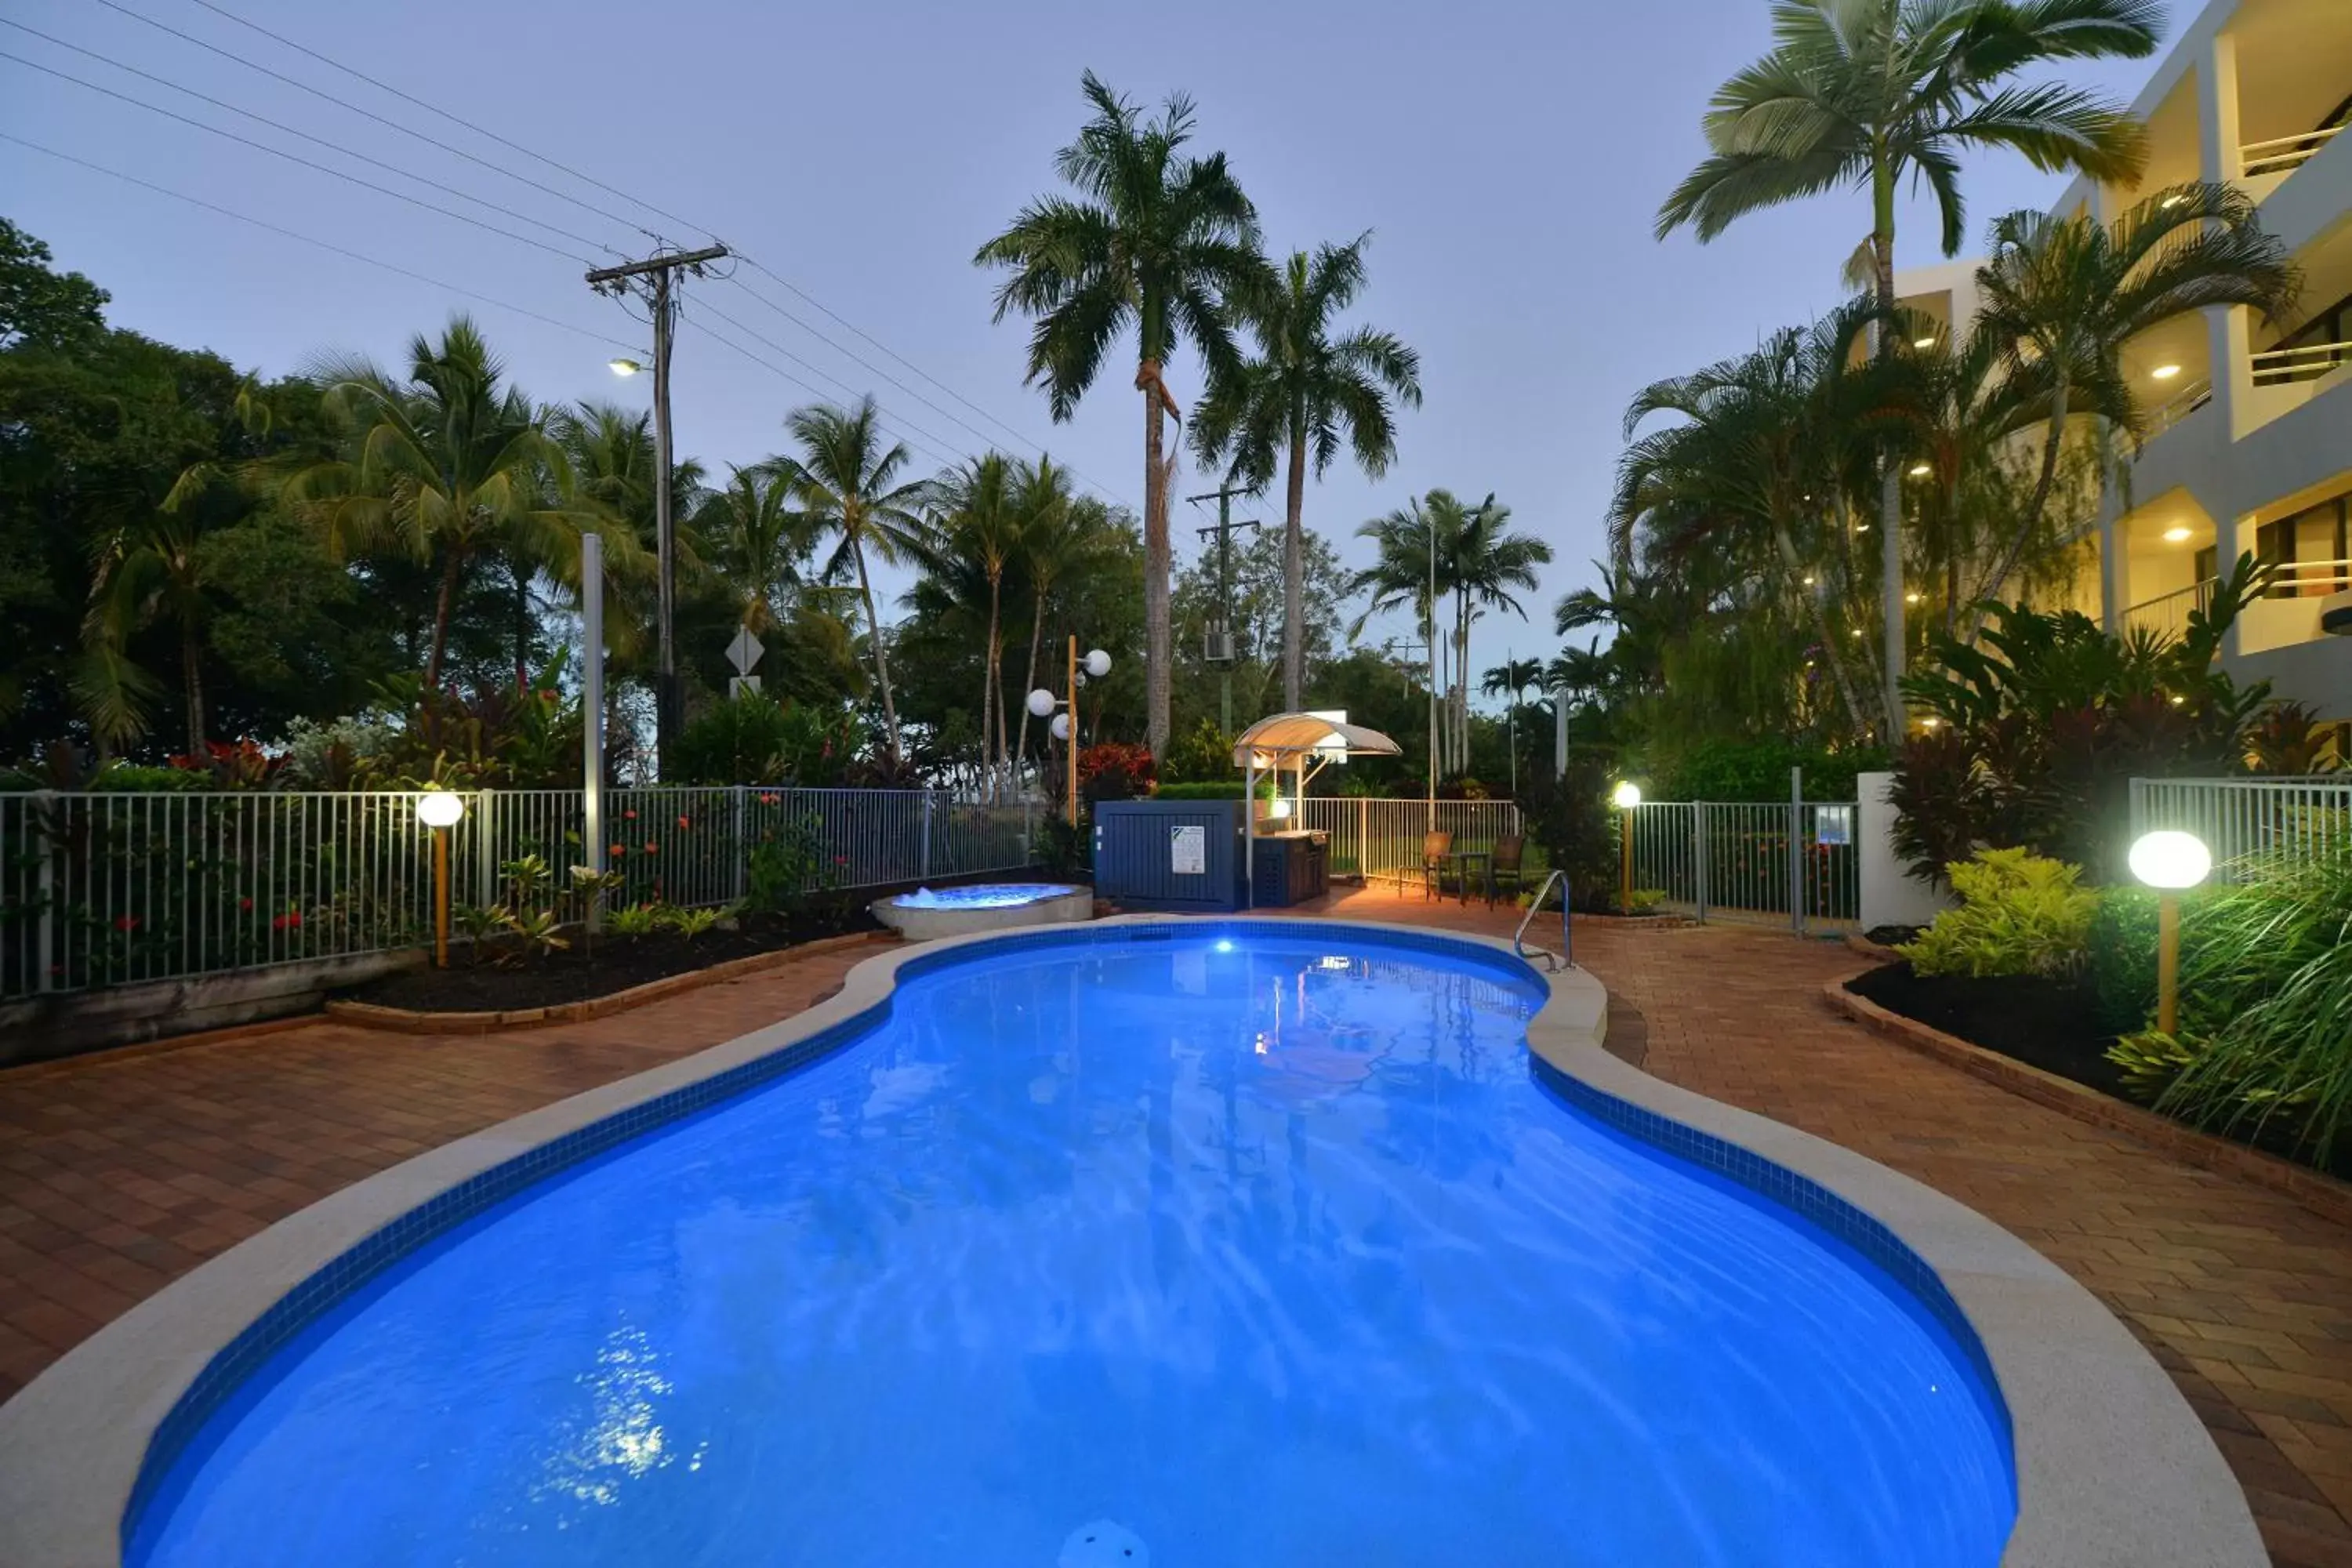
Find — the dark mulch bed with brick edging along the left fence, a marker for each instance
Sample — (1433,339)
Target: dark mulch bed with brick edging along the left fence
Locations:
(617,963)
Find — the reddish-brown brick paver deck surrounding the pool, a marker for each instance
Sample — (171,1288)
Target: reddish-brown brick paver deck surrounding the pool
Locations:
(123,1174)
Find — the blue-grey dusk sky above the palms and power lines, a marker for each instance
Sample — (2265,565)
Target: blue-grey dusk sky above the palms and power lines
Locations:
(1511,161)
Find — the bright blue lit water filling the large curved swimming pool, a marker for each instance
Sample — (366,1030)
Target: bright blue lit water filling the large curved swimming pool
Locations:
(1227,1249)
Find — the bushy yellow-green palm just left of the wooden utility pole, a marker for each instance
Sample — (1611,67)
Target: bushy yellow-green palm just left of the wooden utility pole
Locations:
(446,467)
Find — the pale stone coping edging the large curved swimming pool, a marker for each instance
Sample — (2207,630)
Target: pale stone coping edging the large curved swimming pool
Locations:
(2113,1466)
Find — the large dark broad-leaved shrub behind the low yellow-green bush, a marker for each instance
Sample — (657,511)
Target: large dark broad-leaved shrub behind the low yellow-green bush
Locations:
(2038,730)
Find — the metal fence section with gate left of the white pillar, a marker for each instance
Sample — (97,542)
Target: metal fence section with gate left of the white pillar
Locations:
(1751,862)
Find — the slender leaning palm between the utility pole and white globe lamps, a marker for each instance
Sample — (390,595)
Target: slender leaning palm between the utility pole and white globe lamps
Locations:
(848,490)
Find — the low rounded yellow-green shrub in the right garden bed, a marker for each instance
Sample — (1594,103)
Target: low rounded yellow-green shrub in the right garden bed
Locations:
(2019,916)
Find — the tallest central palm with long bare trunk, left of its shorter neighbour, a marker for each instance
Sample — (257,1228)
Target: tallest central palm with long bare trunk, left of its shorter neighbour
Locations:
(1154,241)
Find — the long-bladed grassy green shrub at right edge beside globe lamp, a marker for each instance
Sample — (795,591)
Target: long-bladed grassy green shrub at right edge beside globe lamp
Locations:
(2266,1007)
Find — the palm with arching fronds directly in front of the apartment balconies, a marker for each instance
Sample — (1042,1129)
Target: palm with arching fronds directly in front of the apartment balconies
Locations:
(2069,295)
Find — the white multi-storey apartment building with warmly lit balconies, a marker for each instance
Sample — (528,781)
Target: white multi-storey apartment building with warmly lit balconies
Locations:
(2250,422)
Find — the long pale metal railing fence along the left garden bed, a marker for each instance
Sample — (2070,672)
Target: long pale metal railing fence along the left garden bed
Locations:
(109,890)
